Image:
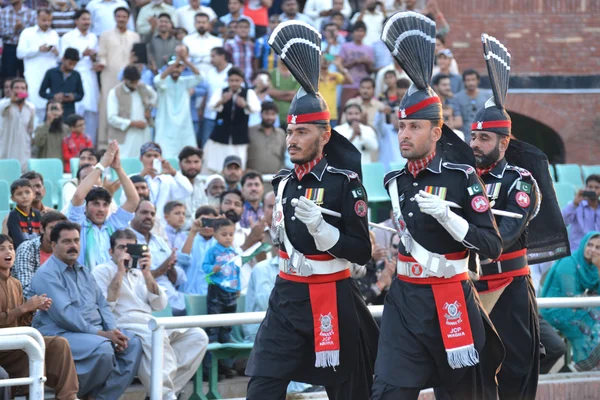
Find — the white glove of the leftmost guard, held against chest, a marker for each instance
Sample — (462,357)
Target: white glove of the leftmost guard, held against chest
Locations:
(324,234)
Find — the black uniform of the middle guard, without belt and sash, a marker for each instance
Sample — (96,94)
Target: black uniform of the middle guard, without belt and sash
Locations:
(411,353)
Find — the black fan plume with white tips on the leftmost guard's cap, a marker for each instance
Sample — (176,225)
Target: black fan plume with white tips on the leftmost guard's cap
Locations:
(299,47)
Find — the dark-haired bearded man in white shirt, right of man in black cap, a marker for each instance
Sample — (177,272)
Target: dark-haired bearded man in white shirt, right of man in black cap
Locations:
(190,164)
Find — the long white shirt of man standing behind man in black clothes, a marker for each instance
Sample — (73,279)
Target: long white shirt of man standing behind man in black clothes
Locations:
(89,78)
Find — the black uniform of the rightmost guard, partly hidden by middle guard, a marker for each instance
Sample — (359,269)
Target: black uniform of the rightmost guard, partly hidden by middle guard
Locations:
(515,314)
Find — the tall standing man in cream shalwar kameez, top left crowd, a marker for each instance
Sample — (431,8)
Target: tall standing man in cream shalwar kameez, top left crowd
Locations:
(114,54)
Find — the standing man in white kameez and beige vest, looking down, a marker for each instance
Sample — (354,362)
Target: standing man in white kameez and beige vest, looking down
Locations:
(128,110)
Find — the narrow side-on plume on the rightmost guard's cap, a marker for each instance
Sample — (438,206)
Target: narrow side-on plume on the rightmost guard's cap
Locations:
(497,60)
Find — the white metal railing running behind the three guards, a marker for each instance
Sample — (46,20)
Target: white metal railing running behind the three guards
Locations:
(158,326)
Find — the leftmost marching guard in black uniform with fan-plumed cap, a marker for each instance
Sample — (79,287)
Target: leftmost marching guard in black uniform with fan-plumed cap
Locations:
(318,329)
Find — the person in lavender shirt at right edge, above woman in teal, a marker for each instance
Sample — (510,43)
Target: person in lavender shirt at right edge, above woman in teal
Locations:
(582,214)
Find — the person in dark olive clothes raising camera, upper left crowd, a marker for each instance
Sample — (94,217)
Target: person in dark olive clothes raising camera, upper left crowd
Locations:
(48,137)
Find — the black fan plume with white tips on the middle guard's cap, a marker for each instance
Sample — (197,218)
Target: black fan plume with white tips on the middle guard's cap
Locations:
(410,37)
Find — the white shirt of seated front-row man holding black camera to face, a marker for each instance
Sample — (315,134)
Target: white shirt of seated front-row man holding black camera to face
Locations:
(134,304)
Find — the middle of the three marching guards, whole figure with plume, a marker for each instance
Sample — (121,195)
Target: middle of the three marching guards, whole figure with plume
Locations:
(434,328)
